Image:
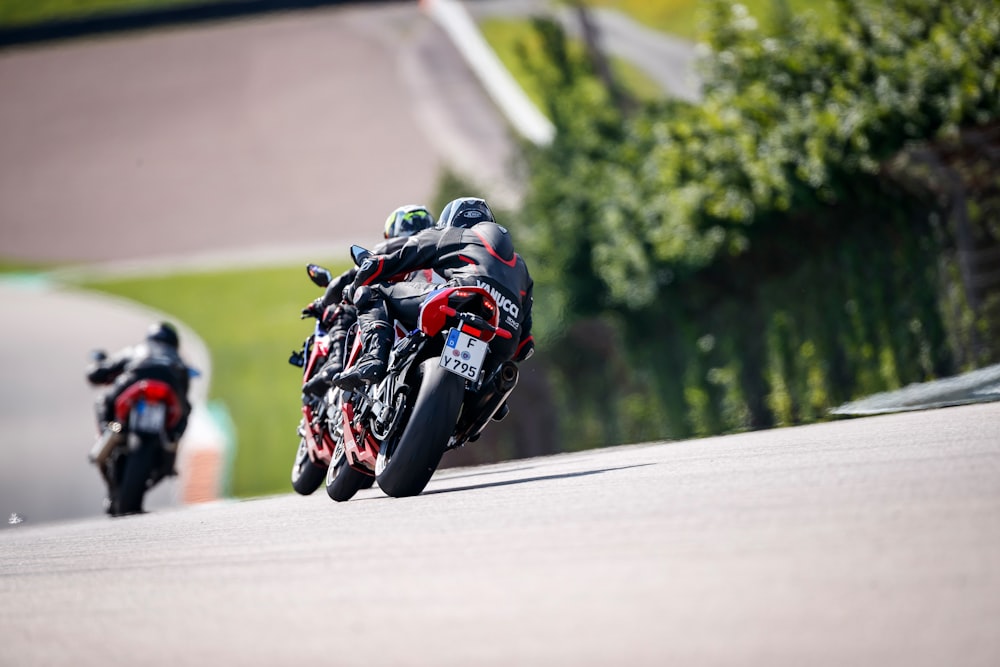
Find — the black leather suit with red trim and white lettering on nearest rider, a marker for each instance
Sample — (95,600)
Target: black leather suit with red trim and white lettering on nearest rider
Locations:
(481,255)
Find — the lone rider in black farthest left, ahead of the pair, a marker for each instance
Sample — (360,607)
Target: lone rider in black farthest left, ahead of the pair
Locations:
(156,358)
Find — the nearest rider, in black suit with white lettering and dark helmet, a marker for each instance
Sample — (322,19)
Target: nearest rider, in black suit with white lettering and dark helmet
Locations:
(467,247)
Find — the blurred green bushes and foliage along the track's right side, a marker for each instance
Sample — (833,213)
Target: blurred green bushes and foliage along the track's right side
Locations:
(751,260)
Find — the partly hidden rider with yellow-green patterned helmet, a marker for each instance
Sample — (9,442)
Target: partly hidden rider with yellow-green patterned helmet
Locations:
(402,223)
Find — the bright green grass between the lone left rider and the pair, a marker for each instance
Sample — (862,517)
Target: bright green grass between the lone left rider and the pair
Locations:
(250,322)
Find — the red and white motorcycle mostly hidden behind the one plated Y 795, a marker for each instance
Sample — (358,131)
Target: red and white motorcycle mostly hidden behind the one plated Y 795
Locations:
(318,434)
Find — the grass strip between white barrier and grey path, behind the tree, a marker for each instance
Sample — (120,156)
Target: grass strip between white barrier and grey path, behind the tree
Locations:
(505,36)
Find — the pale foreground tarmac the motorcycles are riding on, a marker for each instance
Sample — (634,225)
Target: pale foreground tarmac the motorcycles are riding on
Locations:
(872,541)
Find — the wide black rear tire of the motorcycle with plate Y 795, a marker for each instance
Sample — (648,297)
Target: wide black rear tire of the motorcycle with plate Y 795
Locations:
(415,458)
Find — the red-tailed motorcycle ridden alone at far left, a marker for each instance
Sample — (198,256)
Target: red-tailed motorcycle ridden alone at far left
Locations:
(133,453)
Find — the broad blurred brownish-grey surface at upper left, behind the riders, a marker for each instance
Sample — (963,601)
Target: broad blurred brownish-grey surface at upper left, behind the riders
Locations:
(235,136)
